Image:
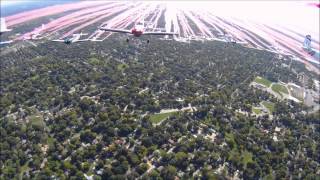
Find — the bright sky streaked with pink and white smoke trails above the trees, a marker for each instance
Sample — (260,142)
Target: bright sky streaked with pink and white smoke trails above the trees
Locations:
(270,25)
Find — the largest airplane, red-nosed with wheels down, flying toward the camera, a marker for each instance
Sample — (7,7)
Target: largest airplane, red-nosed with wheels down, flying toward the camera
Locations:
(137,31)
